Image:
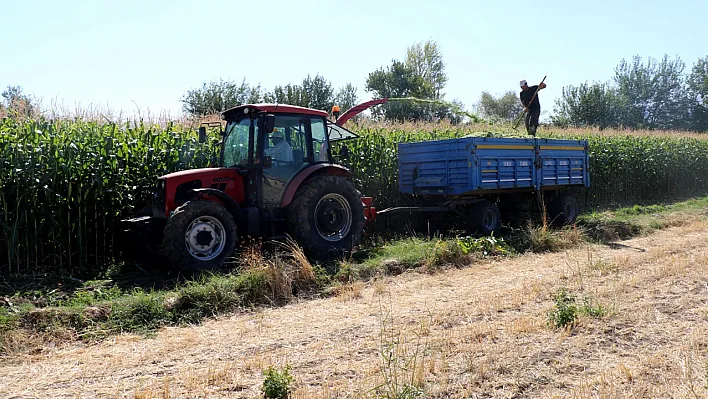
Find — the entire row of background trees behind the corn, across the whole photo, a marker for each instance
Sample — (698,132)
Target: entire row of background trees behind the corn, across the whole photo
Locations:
(651,94)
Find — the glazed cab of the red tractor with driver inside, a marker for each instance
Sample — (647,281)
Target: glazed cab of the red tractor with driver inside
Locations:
(272,144)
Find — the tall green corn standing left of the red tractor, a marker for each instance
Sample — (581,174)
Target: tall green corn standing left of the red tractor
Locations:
(64,185)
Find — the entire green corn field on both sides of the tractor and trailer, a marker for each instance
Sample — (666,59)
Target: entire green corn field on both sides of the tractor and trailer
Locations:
(65,184)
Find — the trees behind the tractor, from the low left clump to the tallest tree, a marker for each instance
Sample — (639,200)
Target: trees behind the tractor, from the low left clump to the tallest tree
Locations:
(421,74)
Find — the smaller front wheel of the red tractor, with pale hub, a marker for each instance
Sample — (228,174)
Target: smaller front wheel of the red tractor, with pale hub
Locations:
(199,236)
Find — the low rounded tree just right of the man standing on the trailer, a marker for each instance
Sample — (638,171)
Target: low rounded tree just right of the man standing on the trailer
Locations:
(595,104)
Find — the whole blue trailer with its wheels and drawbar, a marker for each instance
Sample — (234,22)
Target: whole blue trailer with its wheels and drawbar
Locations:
(472,177)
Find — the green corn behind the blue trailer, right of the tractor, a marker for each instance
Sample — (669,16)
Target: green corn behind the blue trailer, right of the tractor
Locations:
(624,169)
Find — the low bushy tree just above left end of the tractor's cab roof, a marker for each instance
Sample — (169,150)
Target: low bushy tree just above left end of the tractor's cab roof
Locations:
(215,97)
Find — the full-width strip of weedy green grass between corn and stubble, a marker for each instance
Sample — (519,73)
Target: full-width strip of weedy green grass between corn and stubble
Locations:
(61,310)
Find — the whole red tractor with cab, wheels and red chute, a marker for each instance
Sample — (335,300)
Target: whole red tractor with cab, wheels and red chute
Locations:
(276,177)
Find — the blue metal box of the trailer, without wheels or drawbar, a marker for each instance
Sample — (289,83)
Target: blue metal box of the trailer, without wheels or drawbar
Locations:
(484,165)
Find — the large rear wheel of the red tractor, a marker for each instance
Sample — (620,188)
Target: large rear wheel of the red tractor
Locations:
(317,217)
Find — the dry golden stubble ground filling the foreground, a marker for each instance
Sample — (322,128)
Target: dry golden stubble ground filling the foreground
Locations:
(480,330)
